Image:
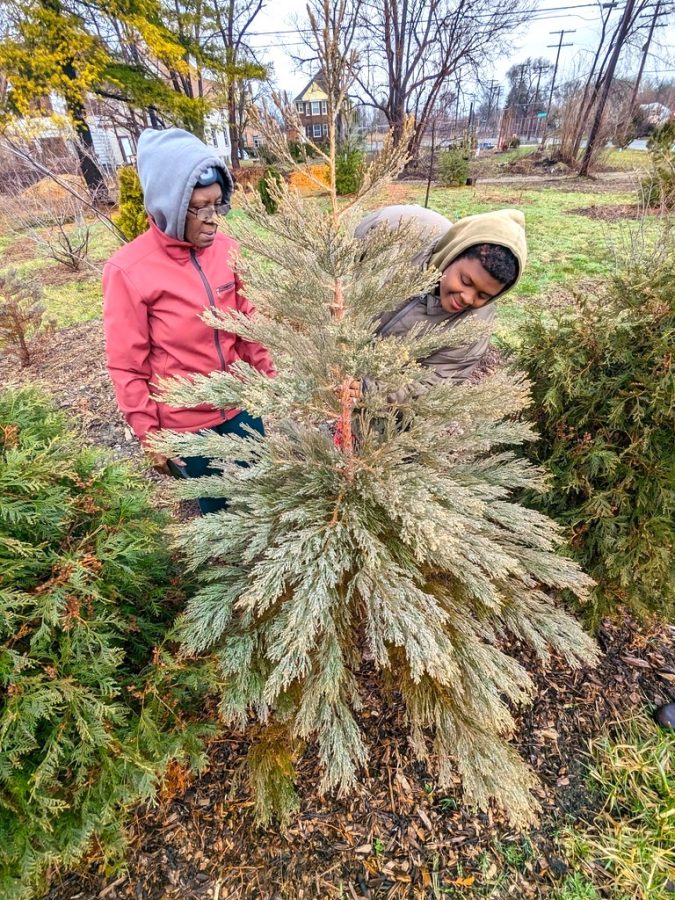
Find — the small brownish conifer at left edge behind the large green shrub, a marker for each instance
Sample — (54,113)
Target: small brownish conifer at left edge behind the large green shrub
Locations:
(21,315)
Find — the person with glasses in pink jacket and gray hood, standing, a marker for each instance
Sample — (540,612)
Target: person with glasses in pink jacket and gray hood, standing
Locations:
(156,287)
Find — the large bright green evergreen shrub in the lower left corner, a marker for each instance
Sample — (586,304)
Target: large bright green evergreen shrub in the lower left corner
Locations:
(89,711)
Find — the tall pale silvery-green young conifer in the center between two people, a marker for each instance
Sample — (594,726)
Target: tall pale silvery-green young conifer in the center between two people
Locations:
(403,546)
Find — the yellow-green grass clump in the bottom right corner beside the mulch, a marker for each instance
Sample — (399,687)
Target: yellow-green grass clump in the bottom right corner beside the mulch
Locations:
(633,837)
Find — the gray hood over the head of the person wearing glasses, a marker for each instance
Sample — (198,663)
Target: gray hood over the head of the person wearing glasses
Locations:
(169,163)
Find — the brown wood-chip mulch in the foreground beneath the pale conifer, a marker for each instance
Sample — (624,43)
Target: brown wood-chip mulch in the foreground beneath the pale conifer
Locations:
(396,836)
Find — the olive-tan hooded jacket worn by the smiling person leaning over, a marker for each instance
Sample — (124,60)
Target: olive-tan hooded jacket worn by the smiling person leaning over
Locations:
(505,227)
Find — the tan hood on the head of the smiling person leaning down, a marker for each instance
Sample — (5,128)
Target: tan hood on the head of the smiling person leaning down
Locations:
(505,227)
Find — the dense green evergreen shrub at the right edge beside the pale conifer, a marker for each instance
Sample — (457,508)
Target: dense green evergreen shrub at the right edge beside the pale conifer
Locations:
(602,380)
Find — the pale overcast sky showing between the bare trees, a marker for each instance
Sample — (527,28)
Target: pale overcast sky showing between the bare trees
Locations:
(277,41)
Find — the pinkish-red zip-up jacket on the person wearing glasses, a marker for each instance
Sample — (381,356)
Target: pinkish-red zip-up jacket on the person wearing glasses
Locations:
(155,289)
